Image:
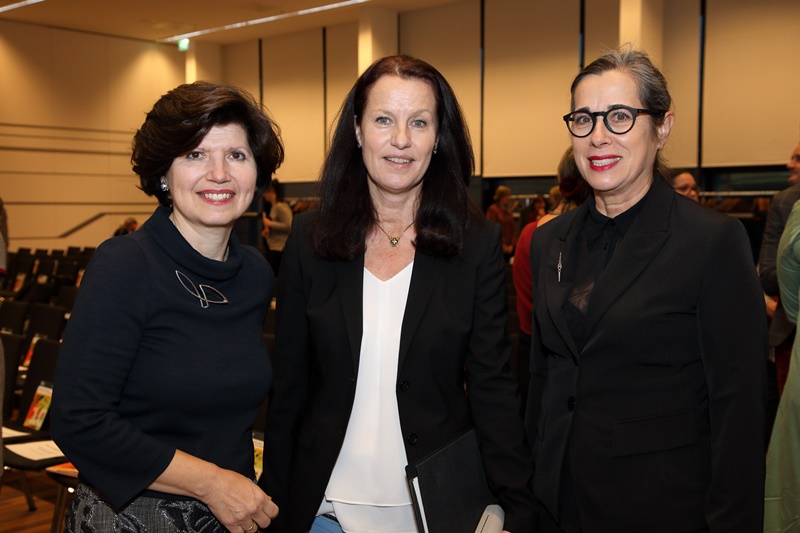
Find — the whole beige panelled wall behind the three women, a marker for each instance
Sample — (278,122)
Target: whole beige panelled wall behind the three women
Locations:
(72,101)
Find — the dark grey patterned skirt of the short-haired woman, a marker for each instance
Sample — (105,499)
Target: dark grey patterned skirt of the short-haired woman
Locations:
(89,513)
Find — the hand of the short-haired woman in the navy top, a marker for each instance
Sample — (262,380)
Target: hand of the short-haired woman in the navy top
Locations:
(239,504)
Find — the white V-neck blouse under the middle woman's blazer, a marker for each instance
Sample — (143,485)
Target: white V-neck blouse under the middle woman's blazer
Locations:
(368,491)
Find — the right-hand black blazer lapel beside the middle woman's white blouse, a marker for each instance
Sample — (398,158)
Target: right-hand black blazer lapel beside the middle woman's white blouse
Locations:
(424,277)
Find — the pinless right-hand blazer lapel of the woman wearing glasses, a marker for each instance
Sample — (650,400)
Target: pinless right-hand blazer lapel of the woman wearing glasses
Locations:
(635,252)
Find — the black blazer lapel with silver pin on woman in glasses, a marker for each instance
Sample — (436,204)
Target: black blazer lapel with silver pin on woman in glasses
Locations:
(560,276)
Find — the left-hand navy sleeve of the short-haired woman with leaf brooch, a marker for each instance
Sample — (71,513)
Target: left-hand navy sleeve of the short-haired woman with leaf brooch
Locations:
(99,348)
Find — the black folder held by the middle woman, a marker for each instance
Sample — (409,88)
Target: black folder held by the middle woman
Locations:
(449,488)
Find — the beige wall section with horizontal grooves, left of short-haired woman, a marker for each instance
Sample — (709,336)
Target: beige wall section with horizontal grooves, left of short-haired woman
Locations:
(71,103)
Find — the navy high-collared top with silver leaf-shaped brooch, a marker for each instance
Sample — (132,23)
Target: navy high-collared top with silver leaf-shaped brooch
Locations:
(153,361)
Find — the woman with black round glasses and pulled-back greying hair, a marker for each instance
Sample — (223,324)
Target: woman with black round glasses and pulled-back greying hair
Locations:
(649,334)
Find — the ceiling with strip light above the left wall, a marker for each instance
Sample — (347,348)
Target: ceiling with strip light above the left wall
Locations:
(153,20)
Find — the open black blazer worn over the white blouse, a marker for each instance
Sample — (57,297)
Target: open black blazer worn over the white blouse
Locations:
(455,319)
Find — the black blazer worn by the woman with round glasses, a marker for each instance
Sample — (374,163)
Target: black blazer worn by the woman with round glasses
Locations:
(661,412)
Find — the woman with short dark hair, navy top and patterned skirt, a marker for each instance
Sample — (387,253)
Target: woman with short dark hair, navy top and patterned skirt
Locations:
(162,369)
